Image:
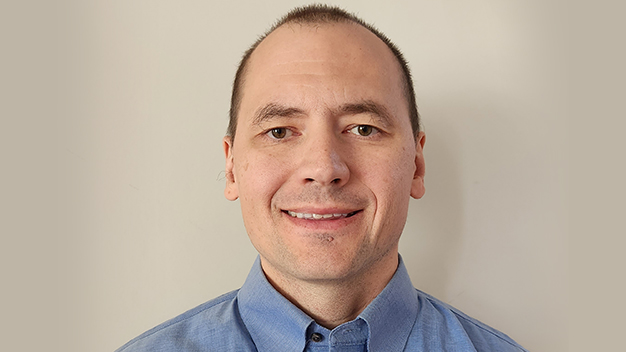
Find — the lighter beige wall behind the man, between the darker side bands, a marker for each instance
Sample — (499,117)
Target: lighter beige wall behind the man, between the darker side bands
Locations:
(153,236)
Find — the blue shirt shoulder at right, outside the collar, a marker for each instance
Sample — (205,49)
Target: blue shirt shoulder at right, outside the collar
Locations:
(440,323)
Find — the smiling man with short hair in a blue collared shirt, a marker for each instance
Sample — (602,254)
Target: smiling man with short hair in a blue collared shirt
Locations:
(324,151)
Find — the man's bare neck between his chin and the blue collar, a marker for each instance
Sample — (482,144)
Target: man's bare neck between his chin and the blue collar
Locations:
(333,302)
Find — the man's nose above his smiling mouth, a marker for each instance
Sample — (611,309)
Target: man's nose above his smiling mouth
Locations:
(323,162)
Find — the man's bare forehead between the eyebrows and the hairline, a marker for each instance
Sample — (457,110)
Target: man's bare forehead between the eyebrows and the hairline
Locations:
(302,62)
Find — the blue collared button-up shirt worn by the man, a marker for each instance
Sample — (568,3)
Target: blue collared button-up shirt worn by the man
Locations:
(258,318)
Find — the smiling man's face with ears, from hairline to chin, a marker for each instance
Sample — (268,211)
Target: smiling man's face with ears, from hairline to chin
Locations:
(324,159)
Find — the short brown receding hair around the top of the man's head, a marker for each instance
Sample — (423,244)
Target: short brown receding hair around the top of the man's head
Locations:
(322,14)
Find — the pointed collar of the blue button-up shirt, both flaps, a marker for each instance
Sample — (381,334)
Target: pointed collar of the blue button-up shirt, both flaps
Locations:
(275,324)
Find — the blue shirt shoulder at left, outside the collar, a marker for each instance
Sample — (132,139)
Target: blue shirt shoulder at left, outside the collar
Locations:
(212,326)
